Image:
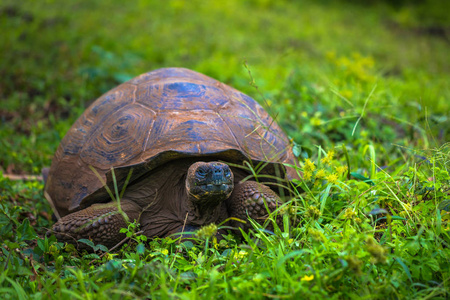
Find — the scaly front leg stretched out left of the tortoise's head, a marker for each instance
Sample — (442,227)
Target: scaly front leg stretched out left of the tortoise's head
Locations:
(100,223)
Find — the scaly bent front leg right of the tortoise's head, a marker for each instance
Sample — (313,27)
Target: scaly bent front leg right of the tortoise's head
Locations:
(249,199)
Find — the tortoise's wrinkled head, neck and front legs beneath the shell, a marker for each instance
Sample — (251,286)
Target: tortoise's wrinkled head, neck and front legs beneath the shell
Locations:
(209,192)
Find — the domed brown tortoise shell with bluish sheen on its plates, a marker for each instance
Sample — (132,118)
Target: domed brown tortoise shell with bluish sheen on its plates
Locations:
(157,117)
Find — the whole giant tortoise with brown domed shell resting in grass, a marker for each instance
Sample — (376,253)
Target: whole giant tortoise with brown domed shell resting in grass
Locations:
(172,140)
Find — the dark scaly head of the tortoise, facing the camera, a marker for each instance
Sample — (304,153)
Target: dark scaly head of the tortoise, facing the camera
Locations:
(209,183)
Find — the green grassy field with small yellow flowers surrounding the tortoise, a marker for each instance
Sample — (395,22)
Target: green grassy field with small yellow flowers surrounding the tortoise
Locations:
(362,90)
